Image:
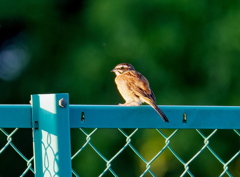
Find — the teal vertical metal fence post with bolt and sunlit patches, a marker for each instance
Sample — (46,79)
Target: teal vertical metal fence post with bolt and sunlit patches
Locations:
(51,135)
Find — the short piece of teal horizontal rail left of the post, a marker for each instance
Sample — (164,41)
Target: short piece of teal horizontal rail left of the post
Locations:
(15,116)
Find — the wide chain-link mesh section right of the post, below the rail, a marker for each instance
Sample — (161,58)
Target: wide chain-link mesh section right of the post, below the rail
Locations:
(155,153)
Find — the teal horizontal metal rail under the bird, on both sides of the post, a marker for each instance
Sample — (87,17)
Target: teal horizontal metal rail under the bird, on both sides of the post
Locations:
(109,116)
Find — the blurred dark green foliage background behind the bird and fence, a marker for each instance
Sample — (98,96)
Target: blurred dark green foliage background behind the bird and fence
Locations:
(189,51)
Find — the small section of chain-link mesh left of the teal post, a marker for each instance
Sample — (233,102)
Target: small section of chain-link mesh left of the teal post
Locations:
(10,150)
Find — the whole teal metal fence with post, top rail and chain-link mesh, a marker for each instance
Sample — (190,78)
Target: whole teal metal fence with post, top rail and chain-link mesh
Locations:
(53,122)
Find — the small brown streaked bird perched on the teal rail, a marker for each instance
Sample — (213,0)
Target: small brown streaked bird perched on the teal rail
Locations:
(135,88)
